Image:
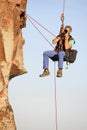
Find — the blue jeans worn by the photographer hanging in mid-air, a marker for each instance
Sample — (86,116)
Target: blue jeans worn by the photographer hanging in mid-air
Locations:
(51,53)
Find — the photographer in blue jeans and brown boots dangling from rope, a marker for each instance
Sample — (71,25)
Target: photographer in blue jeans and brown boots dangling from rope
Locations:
(64,43)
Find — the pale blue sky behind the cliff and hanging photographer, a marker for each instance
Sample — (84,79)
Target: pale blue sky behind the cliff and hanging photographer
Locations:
(32,97)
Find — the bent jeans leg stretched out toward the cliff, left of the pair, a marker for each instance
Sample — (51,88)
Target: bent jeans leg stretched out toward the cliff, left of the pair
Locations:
(46,56)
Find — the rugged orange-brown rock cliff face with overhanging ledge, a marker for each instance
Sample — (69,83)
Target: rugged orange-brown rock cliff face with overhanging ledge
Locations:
(12,20)
